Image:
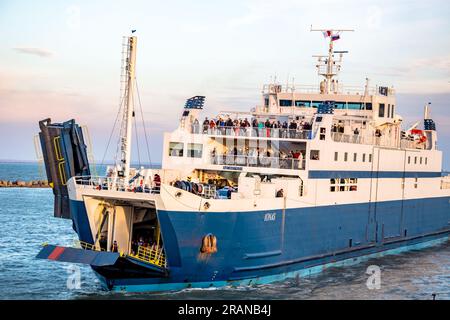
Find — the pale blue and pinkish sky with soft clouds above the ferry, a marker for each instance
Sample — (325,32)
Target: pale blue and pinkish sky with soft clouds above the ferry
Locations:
(61,59)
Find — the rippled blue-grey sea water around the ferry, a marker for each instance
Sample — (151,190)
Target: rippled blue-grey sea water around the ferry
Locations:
(26,221)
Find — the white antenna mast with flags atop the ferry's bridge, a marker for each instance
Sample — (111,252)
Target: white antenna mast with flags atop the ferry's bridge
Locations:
(327,66)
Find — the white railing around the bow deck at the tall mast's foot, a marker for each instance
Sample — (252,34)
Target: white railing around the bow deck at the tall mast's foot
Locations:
(115,184)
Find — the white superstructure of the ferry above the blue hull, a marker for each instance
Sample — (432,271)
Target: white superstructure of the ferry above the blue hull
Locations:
(302,146)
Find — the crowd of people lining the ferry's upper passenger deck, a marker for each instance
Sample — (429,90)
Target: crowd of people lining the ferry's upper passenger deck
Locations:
(268,128)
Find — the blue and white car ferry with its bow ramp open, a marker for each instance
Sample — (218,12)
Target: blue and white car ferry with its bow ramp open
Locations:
(313,177)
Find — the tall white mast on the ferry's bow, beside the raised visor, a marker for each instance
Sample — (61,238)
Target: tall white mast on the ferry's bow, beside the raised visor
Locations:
(128,80)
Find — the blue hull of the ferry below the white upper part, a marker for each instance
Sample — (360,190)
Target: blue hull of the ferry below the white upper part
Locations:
(297,242)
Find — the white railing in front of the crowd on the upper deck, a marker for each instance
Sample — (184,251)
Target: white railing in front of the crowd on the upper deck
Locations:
(254,132)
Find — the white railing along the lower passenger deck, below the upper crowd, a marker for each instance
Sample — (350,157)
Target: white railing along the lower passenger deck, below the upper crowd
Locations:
(254,161)
